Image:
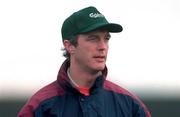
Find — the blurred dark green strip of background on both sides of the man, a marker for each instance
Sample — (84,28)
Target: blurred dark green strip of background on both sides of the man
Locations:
(158,107)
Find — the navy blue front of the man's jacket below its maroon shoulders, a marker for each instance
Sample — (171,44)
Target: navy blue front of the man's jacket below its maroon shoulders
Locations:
(104,103)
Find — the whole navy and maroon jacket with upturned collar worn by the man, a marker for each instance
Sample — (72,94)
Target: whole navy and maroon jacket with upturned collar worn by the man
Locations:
(60,99)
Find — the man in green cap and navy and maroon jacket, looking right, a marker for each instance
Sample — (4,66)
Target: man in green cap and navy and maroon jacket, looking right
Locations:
(81,88)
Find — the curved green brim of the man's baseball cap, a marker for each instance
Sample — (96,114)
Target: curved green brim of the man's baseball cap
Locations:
(111,27)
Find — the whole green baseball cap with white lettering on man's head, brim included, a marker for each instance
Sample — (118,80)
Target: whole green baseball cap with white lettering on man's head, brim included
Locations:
(87,20)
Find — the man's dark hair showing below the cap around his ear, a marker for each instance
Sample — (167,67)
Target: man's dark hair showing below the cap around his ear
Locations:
(73,41)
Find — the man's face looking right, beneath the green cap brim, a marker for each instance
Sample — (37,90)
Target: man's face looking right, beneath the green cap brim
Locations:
(91,51)
